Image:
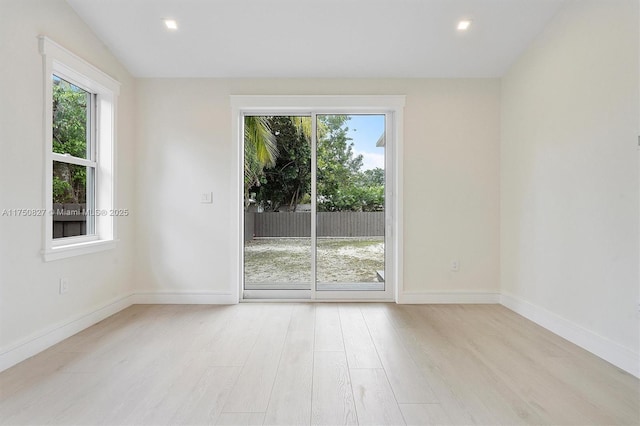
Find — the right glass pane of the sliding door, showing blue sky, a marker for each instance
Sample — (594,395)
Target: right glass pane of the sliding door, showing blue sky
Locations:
(350,202)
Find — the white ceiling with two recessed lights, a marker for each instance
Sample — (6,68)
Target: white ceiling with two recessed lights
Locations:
(316,38)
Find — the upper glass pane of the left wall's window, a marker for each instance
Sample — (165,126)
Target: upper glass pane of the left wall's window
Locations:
(71,123)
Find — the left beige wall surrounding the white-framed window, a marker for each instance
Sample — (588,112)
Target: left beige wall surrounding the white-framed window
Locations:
(30,305)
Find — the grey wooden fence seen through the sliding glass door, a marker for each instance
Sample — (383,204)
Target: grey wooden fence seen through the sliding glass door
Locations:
(298,224)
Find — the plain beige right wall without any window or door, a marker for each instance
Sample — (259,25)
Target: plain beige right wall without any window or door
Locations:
(569,178)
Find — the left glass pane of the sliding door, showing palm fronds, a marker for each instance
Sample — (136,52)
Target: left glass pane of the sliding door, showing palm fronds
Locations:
(277,191)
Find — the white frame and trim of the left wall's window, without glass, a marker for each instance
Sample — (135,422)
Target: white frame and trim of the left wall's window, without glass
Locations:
(104,92)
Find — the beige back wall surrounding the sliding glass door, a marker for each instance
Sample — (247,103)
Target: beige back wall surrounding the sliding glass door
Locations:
(451,154)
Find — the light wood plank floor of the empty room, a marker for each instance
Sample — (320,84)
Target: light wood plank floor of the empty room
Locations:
(331,364)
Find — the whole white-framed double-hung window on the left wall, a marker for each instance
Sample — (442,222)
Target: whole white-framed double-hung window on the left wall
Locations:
(79,129)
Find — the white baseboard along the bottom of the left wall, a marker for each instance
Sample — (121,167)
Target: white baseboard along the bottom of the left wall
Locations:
(38,342)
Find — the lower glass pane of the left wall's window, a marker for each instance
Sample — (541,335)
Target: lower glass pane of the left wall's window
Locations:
(72,200)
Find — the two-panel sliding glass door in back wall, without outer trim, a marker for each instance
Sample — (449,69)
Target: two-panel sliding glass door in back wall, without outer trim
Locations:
(314,205)
